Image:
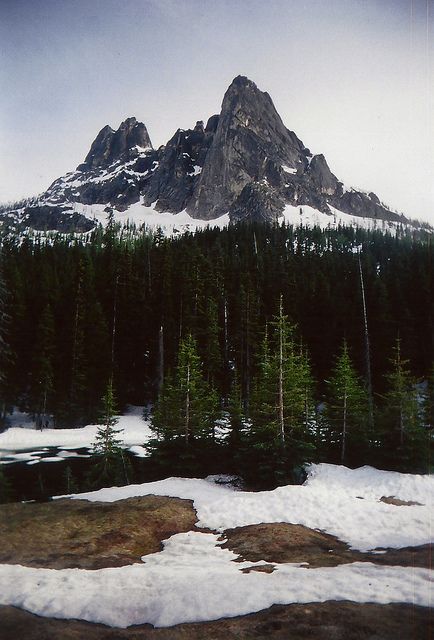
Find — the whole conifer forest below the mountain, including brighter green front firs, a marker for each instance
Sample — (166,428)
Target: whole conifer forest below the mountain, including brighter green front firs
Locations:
(302,344)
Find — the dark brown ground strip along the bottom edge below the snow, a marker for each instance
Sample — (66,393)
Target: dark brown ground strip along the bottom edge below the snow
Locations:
(324,621)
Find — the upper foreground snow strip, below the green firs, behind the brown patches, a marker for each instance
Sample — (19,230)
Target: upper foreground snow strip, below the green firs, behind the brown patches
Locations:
(335,499)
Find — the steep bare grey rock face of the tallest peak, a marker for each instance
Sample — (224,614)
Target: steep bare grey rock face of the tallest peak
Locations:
(250,136)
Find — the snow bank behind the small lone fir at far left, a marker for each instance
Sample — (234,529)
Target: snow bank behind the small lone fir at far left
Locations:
(25,443)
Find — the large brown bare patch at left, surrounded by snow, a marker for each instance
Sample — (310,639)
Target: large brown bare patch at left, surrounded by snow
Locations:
(90,535)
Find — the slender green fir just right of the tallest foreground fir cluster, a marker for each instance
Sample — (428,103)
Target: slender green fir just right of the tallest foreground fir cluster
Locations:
(347,411)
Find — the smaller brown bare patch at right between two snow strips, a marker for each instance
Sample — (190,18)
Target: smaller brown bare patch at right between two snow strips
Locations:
(281,542)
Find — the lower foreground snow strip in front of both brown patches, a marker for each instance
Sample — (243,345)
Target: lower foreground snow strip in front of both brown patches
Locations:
(195,580)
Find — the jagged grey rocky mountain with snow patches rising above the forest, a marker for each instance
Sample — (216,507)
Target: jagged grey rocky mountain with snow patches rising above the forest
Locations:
(243,165)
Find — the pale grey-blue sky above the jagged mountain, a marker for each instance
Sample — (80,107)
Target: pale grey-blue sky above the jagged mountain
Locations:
(353,78)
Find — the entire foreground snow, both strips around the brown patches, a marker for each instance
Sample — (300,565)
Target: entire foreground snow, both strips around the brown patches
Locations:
(194,579)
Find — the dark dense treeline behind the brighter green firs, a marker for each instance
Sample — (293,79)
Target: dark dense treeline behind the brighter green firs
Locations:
(117,307)
